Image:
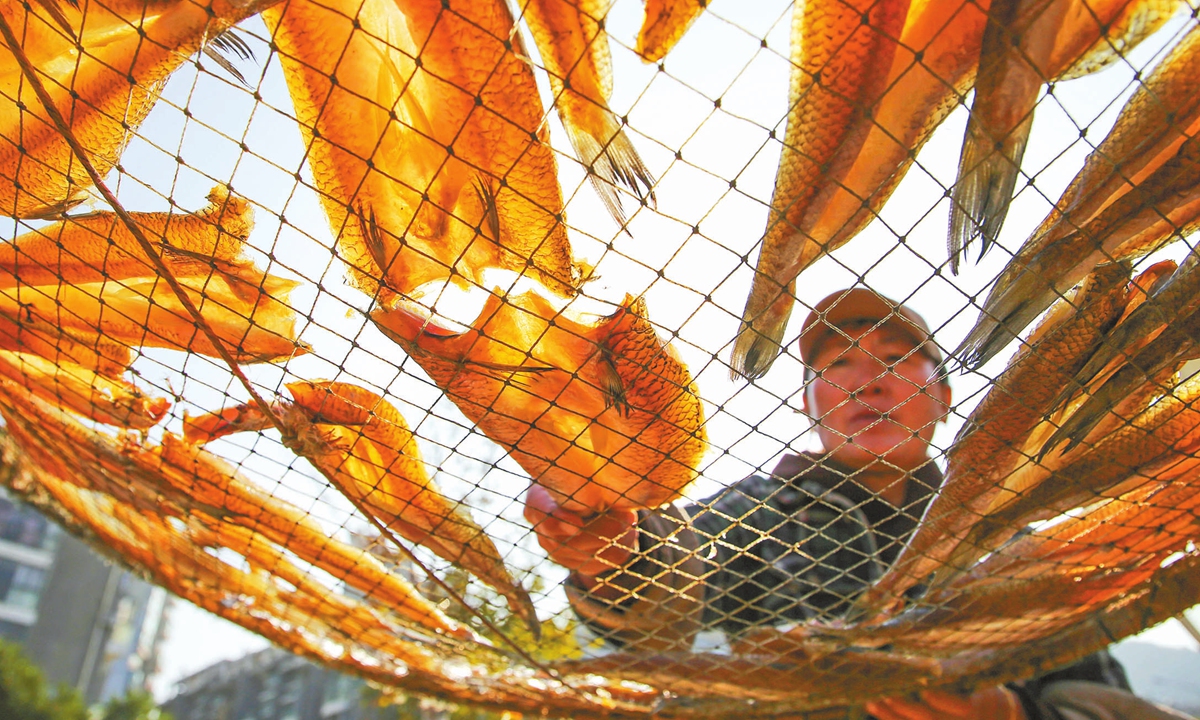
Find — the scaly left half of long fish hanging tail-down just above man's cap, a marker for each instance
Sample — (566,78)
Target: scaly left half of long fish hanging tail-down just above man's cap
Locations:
(842,56)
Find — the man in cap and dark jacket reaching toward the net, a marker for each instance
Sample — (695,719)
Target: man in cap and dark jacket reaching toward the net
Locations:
(806,541)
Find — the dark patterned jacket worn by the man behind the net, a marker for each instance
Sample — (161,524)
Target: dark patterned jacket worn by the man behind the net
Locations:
(787,548)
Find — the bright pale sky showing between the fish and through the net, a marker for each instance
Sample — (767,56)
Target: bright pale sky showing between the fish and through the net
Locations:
(703,123)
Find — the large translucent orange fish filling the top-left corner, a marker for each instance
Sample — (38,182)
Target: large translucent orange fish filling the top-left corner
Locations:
(140,40)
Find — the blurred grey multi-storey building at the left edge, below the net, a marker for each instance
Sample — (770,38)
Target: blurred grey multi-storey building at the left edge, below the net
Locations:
(83,621)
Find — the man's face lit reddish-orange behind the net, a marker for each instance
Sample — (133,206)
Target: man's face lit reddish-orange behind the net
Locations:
(872,398)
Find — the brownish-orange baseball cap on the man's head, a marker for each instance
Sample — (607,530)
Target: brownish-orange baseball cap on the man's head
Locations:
(860,305)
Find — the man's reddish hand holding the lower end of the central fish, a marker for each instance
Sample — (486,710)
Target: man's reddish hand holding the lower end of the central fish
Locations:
(586,547)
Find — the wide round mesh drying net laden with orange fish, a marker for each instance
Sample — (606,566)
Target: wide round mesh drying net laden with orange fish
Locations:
(301,297)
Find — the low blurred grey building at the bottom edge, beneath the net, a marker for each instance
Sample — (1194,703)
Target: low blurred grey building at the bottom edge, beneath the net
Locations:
(273,685)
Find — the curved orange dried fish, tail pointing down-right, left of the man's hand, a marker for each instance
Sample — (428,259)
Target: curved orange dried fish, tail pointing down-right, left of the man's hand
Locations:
(364,447)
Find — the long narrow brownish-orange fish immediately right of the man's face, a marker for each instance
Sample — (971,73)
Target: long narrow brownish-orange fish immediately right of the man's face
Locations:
(991,445)
